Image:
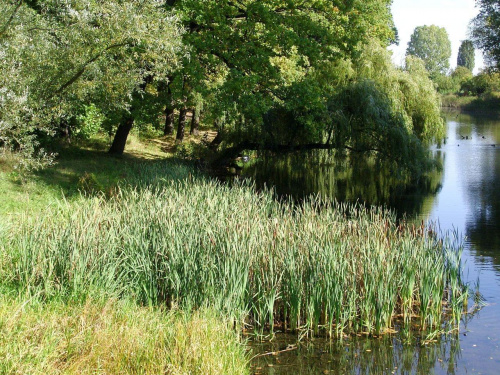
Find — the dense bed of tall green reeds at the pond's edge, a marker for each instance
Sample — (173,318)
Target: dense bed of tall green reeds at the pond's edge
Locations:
(320,267)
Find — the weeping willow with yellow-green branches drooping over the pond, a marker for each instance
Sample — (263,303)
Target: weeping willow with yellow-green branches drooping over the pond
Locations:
(391,113)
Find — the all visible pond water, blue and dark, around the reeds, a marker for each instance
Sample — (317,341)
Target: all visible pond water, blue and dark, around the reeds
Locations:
(463,196)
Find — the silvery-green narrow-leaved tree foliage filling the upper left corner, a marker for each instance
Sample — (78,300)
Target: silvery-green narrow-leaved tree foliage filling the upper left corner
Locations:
(58,54)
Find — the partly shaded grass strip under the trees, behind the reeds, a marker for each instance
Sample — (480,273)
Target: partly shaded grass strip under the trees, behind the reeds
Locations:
(86,167)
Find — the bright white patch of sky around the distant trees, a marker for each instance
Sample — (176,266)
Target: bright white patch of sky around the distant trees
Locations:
(453,15)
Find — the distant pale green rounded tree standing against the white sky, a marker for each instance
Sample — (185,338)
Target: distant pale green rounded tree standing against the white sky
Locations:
(432,45)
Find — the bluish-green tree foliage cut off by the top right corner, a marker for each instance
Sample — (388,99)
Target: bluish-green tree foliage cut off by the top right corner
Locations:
(485,30)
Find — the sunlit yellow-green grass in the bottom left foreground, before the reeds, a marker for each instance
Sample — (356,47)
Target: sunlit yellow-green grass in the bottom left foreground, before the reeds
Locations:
(114,337)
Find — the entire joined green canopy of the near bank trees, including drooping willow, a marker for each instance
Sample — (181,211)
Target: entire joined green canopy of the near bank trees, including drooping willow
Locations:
(268,72)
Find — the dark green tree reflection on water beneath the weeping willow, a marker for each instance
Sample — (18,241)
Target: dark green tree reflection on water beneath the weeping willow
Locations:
(348,180)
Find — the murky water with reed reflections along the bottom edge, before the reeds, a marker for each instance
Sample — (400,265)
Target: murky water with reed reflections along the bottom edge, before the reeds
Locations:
(387,355)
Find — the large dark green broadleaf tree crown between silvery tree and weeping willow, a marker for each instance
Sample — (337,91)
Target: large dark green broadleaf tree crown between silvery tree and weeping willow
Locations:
(253,56)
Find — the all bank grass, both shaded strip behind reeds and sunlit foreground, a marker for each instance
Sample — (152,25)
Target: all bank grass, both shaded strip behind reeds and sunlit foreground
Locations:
(97,333)
